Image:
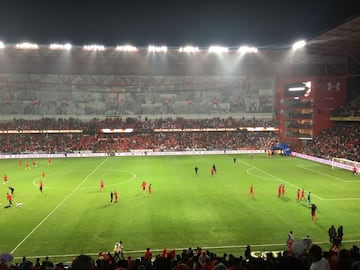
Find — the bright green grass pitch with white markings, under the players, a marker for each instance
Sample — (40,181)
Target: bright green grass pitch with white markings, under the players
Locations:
(73,216)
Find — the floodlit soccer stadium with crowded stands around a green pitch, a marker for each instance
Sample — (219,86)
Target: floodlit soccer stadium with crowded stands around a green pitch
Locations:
(181,158)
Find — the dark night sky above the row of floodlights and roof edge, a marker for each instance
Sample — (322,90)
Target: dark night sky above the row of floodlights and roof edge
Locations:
(173,23)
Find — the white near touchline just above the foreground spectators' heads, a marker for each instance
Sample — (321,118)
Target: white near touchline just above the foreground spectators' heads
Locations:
(185,248)
